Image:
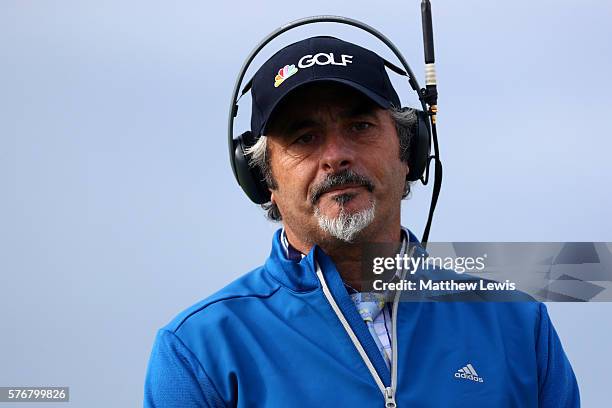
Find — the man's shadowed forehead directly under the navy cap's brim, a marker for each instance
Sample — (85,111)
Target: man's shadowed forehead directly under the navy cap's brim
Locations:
(313,101)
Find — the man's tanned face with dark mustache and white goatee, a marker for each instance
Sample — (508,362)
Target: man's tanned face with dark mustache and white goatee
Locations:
(334,155)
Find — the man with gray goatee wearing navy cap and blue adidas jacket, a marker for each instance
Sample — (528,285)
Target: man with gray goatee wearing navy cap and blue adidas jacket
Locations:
(298,331)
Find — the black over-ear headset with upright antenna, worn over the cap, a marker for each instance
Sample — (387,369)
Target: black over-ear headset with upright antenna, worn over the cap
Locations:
(250,178)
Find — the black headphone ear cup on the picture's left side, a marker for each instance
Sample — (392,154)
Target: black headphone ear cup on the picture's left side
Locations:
(250,179)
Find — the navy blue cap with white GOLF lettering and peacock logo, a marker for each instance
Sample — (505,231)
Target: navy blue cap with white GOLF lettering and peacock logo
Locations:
(318,59)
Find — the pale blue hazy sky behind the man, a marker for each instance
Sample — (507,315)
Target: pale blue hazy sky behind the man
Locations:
(119,208)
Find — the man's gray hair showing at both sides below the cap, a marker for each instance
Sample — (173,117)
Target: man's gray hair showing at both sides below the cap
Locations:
(405,121)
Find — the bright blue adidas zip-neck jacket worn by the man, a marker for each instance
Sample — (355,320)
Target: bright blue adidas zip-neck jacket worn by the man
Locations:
(271,339)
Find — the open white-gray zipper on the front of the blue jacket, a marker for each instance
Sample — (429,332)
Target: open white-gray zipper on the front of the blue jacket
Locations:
(387,392)
